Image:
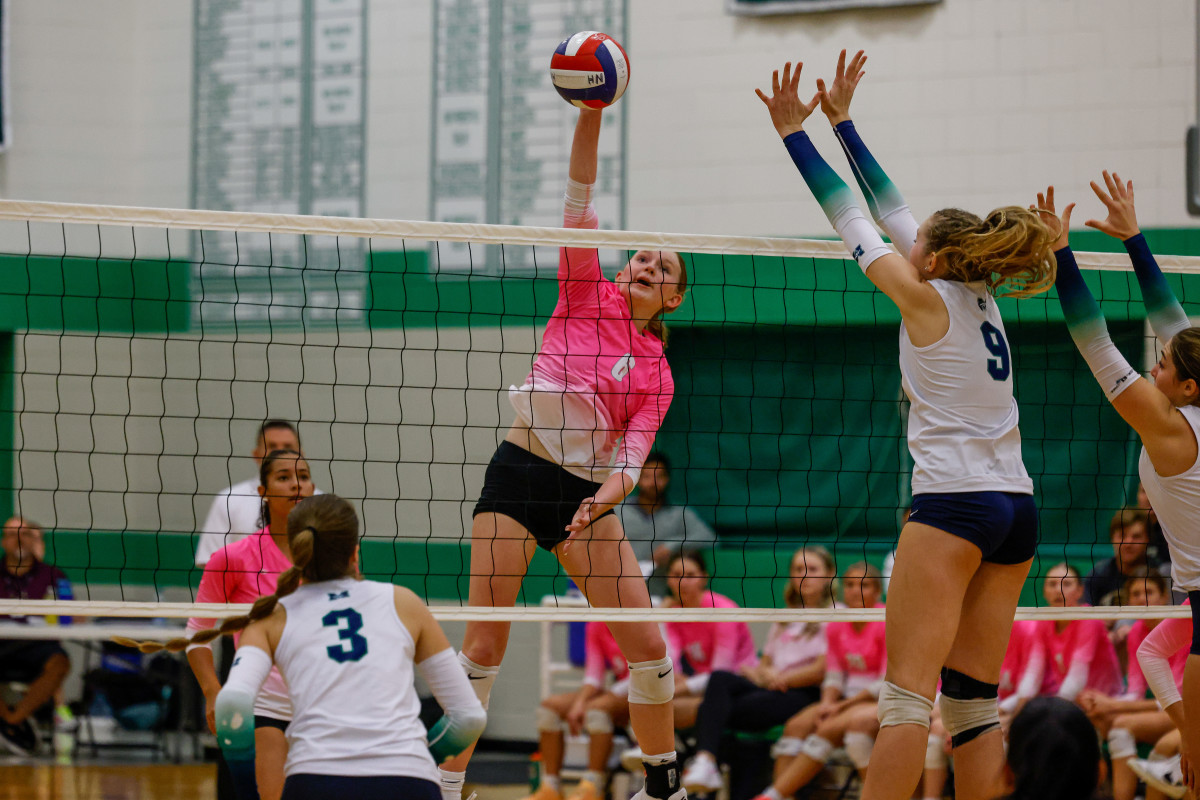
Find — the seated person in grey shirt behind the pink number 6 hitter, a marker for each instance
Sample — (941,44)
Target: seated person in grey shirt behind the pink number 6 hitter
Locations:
(657,530)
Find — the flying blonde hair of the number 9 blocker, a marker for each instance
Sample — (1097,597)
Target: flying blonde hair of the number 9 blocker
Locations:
(1011,251)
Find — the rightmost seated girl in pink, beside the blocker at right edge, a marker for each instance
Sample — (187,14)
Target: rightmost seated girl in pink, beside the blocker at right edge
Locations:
(1135,717)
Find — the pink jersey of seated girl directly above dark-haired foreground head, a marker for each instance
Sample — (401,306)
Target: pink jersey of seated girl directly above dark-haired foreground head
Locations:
(1082,657)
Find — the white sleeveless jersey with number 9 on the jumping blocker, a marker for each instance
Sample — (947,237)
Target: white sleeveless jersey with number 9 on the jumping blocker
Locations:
(963,429)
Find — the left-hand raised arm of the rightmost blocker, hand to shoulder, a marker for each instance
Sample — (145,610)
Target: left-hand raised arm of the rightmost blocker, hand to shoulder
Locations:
(1148,411)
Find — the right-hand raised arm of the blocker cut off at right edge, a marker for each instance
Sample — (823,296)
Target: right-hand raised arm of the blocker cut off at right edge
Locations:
(1166,315)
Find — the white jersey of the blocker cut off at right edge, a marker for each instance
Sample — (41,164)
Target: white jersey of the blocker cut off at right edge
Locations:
(1177,503)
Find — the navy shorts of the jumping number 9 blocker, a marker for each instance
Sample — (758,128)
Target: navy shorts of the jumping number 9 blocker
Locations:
(1003,525)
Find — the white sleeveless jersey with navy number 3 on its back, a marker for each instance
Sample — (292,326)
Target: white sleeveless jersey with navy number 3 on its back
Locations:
(349,663)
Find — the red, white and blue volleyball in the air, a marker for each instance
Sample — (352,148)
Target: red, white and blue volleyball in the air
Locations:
(590,70)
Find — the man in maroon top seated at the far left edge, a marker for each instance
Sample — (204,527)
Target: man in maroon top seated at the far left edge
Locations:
(41,664)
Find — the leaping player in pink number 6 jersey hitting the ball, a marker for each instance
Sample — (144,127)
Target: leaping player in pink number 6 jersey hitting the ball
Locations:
(586,419)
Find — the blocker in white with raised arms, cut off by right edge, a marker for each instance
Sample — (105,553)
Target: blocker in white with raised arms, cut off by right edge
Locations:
(1165,412)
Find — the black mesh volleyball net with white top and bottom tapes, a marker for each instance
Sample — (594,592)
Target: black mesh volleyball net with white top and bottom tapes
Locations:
(141,350)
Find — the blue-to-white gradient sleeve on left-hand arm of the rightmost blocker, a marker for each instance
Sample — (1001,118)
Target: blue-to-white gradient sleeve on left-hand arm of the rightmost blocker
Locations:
(1085,322)
